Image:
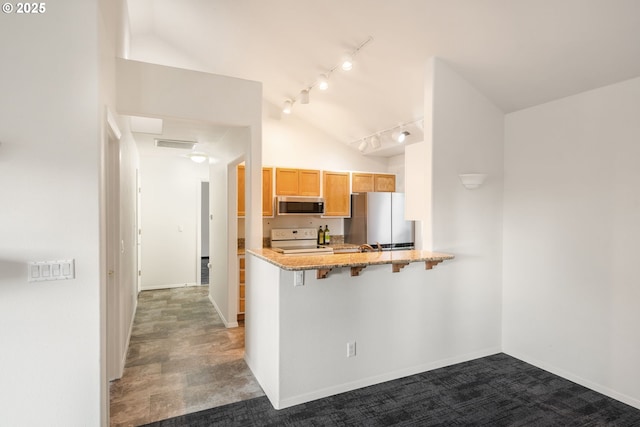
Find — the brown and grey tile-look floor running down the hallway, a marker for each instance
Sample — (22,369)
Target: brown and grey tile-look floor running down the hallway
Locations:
(181,359)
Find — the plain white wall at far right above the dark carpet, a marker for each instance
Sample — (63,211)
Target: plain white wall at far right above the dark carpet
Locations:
(571,233)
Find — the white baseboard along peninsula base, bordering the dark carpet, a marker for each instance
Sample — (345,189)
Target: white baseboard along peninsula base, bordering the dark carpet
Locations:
(377,379)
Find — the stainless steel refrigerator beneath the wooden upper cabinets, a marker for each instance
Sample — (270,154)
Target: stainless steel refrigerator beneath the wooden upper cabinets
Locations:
(379,218)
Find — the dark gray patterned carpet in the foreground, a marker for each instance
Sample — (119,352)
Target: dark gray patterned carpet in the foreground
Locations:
(498,390)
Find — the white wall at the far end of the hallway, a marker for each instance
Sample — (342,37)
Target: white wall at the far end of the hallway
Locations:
(169,207)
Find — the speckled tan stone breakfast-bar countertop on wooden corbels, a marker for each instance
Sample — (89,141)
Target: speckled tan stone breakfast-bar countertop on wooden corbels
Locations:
(356,261)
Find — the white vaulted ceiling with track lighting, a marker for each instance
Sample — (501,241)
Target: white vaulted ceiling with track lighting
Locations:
(519,53)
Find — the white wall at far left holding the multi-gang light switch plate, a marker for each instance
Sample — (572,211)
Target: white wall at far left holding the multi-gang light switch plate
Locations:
(50,138)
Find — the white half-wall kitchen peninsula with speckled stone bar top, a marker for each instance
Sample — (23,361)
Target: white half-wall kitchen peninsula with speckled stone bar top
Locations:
(325,324)
